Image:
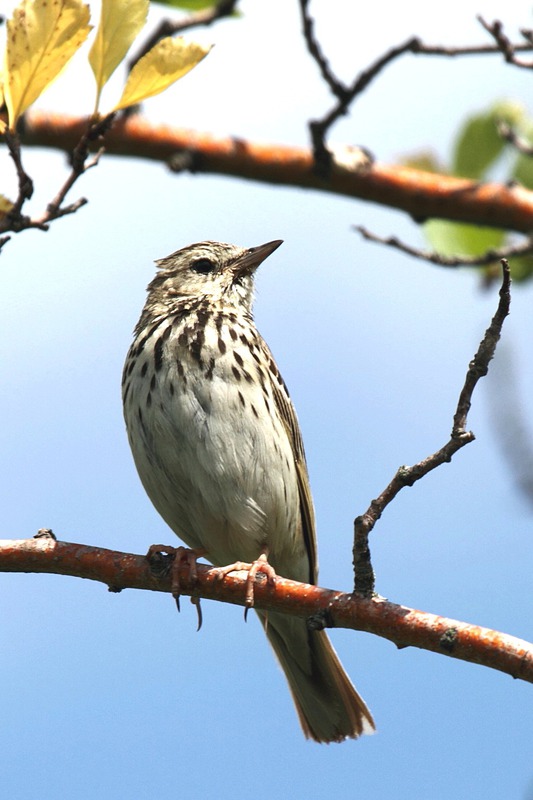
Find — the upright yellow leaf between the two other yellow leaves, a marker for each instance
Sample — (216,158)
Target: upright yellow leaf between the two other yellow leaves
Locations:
(120,22)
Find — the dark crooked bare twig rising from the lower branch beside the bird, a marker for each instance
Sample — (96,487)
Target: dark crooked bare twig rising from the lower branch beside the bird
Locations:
(407,476)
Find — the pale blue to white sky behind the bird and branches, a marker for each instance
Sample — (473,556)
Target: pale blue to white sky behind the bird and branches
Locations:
(117,696)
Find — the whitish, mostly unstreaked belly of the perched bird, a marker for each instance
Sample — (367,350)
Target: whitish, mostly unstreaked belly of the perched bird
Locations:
(224,477)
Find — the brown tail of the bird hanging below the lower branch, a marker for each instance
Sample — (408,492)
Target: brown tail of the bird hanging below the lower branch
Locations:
(329,708)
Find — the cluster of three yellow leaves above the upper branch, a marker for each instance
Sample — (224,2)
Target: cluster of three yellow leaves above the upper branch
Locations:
(42,37)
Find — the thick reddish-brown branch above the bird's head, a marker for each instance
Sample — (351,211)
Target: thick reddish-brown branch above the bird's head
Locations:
(420,194)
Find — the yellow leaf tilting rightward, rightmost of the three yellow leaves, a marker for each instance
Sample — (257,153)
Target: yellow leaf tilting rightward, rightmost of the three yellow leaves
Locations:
(169,60)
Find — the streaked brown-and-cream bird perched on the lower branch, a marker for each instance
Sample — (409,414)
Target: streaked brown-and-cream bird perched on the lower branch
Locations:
(217,445)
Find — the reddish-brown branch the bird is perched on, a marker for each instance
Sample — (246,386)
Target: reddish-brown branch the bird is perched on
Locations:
(403,626)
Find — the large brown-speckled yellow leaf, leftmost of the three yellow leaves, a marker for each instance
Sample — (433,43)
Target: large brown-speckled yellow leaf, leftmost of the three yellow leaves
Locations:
(41,37)
